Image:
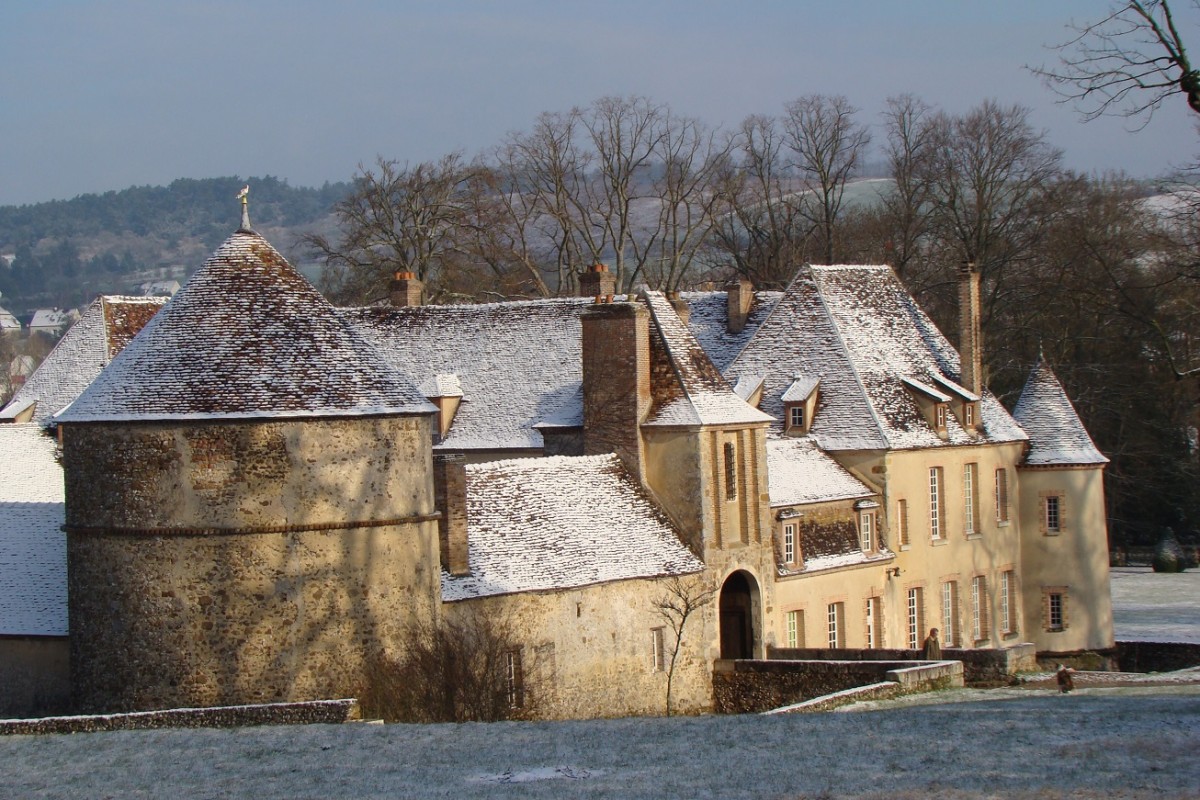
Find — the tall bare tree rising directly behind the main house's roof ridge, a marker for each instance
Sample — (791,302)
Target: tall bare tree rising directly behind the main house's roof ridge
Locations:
(827,148)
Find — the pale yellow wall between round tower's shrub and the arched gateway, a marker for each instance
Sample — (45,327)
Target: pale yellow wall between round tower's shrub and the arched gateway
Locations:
(587,653)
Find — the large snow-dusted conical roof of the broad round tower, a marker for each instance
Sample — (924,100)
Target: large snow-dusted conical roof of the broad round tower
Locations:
(249,338)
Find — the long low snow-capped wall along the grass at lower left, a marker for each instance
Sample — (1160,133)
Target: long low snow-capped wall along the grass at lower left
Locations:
(233,717)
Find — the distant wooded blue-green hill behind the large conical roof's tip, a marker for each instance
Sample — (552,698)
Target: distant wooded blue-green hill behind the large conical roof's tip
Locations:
(65,252)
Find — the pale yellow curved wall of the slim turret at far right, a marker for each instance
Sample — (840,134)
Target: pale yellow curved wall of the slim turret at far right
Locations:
(1075,561)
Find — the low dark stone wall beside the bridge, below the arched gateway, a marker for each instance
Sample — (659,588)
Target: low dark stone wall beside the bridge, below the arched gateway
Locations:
(755,687)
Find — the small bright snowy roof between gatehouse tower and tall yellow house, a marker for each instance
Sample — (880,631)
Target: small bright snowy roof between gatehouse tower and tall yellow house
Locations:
(800,473)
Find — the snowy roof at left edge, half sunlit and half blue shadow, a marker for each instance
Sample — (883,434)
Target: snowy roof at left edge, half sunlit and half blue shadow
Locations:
(33,548)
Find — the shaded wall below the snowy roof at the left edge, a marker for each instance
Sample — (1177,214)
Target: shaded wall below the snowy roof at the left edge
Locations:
(35,676)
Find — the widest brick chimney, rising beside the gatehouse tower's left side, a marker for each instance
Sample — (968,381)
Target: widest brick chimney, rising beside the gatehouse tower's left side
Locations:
(616,353)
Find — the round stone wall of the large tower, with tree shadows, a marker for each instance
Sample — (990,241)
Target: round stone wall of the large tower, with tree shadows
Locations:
(244,563)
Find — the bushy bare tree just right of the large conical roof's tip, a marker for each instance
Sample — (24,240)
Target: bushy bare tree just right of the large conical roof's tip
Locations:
(398,219)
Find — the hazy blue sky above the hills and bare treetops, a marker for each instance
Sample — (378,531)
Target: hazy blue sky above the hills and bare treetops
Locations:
(98,97)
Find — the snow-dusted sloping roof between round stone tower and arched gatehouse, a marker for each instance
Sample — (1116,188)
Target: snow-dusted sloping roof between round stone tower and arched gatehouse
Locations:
(537,525)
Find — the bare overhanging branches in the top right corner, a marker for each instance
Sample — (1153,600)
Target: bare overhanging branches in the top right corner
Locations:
(1126,64)
